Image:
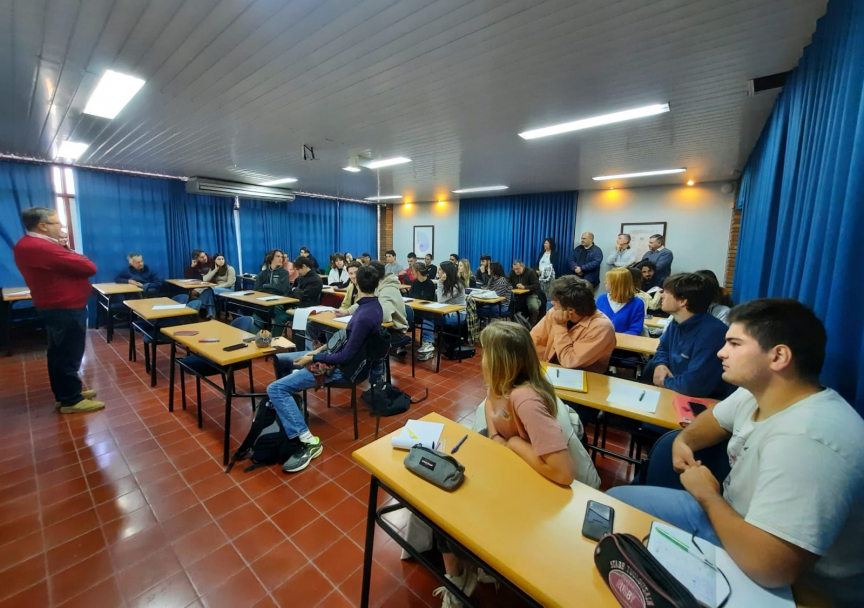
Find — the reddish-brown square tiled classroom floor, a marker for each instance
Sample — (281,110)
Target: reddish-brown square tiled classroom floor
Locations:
(130,506)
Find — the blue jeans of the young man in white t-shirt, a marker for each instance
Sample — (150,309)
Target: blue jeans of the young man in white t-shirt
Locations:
(678,507)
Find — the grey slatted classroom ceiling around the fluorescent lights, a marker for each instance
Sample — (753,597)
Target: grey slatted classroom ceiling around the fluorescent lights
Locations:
(235,88)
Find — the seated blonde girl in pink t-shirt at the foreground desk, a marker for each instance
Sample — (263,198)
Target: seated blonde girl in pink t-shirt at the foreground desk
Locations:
(520,410)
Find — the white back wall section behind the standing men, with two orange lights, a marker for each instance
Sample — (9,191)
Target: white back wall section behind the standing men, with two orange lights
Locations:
(698,220)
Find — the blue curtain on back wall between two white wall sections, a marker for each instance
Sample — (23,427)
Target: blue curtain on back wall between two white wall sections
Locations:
(514,227)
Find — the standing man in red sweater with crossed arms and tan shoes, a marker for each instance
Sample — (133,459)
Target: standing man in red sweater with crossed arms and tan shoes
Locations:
(58,282)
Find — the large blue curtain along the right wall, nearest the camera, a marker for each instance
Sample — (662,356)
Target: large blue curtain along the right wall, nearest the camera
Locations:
(802,195)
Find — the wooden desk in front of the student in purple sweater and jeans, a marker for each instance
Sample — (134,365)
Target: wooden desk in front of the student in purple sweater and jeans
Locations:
(224,362)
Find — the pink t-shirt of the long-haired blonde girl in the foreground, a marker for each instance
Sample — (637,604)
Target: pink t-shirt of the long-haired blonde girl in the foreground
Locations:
(525,414)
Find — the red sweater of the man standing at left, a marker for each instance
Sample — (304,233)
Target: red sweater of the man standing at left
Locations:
(56,276)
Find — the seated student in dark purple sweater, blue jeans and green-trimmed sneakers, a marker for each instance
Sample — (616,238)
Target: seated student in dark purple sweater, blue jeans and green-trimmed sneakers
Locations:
(365,322)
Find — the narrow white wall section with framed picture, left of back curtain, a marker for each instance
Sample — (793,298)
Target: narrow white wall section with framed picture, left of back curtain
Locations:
(444,216)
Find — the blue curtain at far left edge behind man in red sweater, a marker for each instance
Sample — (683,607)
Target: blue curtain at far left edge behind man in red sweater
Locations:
(22,185)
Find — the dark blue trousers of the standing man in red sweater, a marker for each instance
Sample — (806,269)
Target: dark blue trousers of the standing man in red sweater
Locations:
(66,331)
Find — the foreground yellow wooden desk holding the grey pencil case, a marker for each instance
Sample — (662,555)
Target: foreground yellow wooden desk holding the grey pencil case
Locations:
(542,553)
